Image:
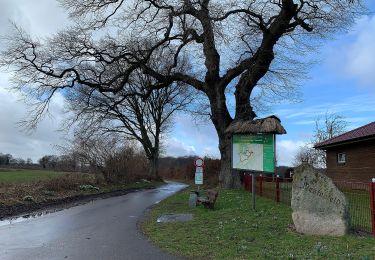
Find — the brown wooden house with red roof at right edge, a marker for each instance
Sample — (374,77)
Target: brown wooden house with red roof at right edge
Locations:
(351,156)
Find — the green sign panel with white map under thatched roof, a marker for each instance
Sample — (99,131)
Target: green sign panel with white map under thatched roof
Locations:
(254,152)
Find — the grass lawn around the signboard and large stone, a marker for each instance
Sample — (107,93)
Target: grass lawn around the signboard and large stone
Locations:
(234,231)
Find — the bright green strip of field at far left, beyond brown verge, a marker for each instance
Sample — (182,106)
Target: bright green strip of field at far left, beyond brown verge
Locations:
(24,176)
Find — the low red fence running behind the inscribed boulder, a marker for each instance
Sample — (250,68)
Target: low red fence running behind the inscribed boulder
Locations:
(360,196)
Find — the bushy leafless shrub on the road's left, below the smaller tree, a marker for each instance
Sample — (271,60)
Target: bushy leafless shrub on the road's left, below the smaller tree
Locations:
(107,155)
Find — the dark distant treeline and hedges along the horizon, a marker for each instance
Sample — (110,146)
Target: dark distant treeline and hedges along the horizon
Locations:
(181,168)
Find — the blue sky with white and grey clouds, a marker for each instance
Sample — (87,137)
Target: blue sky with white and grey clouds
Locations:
(342,82)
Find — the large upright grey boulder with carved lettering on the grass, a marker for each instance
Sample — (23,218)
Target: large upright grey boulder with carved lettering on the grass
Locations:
(319,208)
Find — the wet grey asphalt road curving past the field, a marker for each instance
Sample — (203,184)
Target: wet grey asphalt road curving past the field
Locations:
(101,229)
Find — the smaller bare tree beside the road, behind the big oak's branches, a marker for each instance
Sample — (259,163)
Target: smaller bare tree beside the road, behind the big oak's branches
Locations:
(132,117)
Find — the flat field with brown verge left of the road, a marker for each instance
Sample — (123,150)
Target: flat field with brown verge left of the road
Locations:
(24,186)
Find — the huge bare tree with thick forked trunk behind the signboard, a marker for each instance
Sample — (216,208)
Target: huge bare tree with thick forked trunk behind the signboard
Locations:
(238,49)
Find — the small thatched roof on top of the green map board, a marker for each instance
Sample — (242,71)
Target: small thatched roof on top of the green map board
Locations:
(271,124)
